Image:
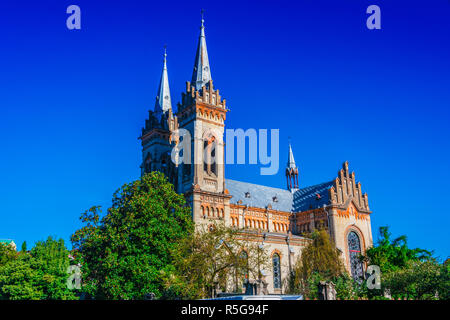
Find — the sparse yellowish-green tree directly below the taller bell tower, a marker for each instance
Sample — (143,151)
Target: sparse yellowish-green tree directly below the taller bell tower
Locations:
(219,256)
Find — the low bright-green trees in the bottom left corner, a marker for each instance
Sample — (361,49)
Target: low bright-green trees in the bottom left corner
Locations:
(40,274)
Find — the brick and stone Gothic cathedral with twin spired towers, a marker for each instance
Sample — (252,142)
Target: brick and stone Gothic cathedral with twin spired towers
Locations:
(278,218)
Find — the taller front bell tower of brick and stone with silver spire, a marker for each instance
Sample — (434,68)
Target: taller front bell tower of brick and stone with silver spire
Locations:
(202,112)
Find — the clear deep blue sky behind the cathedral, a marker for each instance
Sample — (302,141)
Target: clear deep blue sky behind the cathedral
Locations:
(72,103)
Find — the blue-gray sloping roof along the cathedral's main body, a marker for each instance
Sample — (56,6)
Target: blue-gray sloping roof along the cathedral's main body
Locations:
(260,196)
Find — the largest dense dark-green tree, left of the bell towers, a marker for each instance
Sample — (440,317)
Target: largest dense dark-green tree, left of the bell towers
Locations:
(130,251)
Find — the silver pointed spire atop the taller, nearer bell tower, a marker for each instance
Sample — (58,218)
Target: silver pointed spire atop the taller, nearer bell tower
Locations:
(202,72)
